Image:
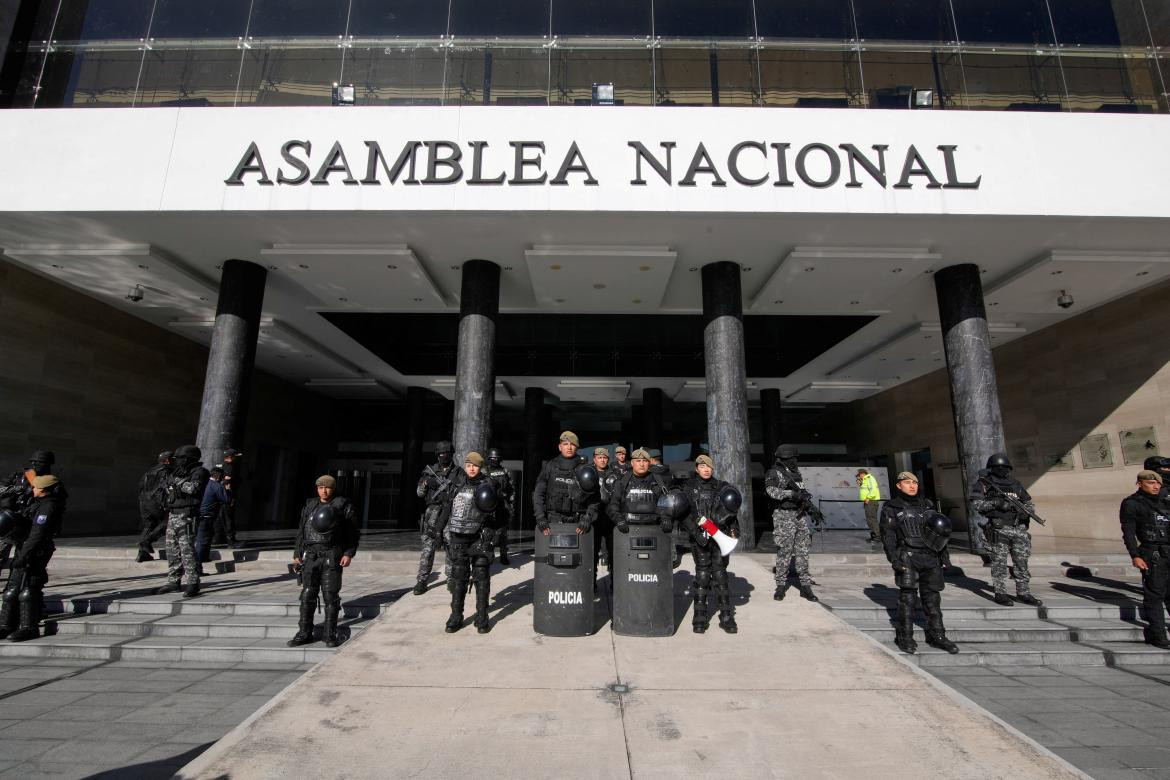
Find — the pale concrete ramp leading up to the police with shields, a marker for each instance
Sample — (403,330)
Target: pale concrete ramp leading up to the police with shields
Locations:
(797,694)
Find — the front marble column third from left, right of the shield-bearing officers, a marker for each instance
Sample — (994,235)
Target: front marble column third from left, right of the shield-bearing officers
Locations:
(727,386)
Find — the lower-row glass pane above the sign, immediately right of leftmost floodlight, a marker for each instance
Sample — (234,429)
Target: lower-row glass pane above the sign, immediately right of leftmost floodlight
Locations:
(397,77)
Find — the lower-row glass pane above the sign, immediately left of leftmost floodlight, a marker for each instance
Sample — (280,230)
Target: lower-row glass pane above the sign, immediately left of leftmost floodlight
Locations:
(276,77)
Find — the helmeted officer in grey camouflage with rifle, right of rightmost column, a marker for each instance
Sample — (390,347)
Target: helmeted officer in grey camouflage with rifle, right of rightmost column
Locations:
(1007,528)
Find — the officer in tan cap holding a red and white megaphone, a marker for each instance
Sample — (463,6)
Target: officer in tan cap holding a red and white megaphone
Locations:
(705,494)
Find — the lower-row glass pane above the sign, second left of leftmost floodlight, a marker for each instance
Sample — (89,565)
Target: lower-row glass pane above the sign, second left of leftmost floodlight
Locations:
(184,77)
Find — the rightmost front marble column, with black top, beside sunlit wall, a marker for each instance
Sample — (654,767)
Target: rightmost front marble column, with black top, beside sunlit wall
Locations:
(975,394)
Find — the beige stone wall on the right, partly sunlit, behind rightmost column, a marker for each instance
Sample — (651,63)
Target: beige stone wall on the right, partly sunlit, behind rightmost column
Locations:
(1102,372)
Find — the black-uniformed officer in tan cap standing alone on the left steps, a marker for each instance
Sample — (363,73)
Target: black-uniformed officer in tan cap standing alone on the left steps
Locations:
(326,543)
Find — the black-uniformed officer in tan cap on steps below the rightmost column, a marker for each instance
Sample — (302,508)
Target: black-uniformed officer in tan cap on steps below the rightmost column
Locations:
(912,533)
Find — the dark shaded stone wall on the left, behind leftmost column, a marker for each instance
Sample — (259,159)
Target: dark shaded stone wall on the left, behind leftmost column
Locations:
(107,392)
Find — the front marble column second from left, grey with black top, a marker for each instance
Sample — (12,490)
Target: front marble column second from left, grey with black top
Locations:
(479,303)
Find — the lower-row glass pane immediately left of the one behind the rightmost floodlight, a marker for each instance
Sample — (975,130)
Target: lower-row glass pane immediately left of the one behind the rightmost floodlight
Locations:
(810,79)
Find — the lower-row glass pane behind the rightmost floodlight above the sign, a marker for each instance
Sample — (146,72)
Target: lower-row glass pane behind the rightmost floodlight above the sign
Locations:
(891,77)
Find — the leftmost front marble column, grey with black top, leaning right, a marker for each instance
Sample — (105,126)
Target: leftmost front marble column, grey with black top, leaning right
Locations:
(228,384)
